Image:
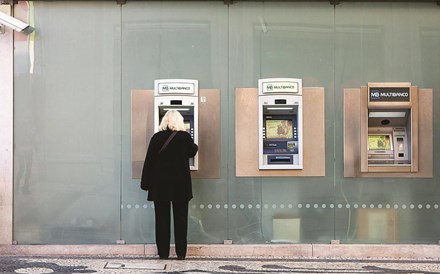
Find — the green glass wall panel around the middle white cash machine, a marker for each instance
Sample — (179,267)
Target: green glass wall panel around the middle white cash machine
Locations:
(282,40)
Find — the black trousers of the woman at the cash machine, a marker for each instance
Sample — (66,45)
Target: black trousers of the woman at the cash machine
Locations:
(162,212)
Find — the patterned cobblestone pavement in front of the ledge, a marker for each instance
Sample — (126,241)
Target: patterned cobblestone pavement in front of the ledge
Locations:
(196,265)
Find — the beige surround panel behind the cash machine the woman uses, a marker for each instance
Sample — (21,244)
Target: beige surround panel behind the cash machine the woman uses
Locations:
(142,129)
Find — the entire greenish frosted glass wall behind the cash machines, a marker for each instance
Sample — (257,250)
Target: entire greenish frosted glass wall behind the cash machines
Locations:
(72,116)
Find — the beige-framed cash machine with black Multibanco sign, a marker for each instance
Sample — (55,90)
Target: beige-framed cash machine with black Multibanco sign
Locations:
(390,128)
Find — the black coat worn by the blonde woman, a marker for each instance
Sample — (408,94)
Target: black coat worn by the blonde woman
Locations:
(166,175)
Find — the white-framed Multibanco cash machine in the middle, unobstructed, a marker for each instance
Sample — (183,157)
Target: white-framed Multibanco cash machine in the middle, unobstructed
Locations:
(280,123)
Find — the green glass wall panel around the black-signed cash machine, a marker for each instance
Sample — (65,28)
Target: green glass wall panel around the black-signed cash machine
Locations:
(386,42)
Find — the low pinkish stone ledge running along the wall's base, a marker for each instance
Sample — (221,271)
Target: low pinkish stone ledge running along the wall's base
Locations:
(316,251)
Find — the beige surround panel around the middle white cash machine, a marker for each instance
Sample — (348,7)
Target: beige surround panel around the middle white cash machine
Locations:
(246,138)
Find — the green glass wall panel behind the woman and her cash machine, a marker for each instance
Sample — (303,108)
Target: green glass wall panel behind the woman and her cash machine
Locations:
(174,40)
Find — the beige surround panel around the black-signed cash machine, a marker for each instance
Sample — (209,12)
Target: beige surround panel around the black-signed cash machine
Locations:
(353,164)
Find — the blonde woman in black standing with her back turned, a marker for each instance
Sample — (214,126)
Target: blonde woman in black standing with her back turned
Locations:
(167,178)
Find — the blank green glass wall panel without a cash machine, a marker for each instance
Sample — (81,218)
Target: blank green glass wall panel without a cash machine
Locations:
(67,124)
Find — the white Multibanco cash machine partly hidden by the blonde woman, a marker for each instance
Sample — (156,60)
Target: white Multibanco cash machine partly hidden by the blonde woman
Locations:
(181,95)
